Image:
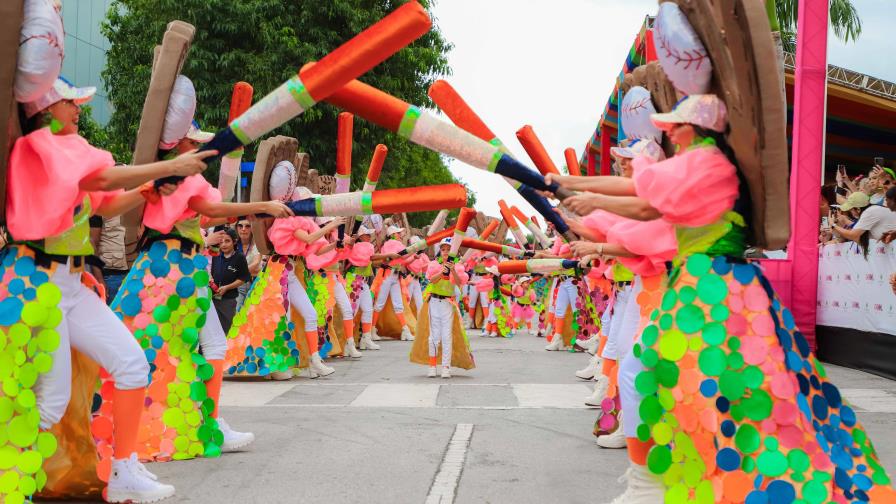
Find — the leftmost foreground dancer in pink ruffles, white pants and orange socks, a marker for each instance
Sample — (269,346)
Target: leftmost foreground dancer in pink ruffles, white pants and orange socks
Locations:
(47,304)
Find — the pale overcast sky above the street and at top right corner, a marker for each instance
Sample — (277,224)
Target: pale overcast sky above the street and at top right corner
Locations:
(553,63)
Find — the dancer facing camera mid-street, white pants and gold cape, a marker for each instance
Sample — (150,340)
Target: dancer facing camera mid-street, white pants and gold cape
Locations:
(441,330)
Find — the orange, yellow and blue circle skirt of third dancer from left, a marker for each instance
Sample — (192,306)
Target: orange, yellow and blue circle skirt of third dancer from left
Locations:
(261,339)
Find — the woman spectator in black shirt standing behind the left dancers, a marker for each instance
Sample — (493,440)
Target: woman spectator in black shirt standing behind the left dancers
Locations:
(229,271)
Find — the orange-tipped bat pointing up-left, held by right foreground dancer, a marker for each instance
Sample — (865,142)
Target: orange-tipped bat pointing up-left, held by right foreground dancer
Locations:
(425,129)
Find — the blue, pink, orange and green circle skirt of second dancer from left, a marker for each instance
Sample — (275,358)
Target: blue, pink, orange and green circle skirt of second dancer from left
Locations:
(163,301)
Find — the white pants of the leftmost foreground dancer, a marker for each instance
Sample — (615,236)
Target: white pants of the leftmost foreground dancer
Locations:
(93,329)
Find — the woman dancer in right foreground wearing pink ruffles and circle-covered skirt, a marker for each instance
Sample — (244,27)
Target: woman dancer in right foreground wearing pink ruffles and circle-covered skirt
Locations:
(734,407)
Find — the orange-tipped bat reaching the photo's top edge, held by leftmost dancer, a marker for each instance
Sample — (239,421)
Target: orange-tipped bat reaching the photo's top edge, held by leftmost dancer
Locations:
(311,85)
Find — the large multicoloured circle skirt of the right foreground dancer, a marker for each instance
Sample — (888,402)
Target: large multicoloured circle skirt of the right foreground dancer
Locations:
(738,406)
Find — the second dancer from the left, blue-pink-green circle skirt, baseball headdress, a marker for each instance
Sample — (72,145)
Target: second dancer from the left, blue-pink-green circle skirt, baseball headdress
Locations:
(165,302)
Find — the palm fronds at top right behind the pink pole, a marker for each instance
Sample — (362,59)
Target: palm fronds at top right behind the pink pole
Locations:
(844,20)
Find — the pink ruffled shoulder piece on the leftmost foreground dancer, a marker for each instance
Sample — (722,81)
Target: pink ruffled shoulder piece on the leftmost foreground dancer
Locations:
(45,172)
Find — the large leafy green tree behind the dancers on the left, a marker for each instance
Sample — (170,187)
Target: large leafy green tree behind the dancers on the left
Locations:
(264,42)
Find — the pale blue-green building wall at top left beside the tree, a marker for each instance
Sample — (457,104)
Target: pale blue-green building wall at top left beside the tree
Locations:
(85,50)
